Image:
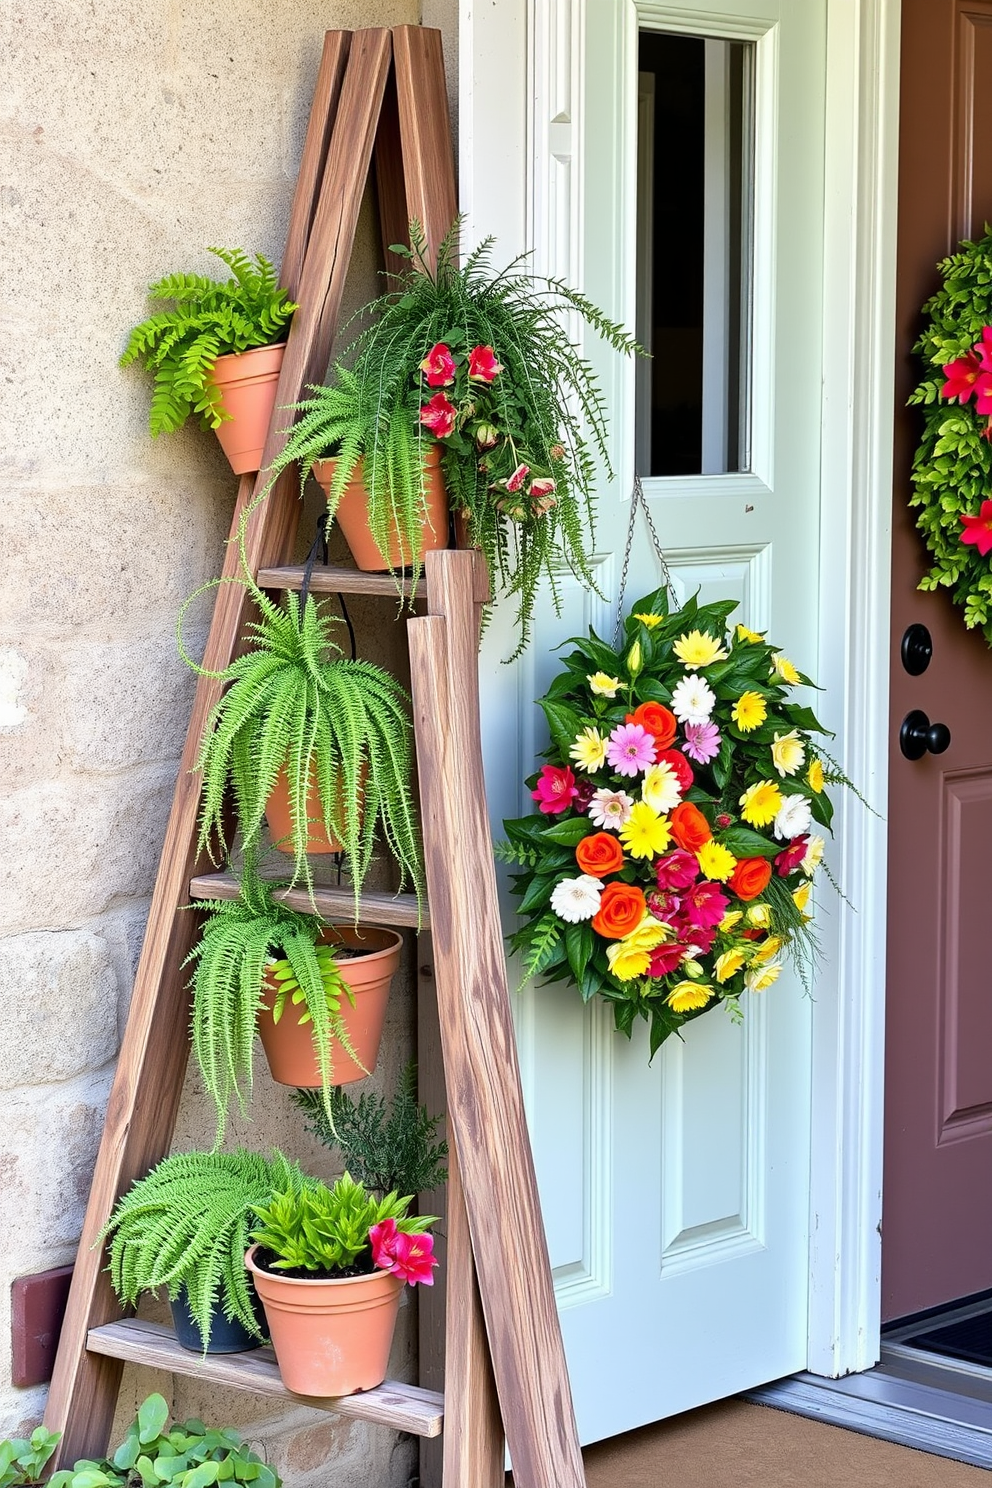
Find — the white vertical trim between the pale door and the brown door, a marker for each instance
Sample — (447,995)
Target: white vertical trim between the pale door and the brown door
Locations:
(857,486)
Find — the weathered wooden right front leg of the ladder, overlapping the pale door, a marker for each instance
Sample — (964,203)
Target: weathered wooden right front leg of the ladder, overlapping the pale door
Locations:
(486,1103)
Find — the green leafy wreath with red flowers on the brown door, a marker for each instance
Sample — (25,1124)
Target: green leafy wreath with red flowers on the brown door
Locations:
(953,468)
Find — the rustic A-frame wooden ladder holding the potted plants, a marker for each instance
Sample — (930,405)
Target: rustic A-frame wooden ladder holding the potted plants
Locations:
(379,93)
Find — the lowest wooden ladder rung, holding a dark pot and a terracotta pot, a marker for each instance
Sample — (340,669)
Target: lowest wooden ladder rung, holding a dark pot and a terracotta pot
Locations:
(405,1408)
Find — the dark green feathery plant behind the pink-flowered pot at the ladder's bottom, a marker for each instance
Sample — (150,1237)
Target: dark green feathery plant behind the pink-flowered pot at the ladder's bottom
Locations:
(384,1151)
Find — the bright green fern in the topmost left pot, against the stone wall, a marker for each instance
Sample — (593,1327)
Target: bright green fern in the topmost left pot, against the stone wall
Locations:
(210,319)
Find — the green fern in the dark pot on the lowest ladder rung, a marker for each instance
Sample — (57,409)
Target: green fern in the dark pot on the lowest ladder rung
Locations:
(187,1225)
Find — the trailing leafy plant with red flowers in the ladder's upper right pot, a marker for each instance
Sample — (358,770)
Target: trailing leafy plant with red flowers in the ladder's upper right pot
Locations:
(478,364)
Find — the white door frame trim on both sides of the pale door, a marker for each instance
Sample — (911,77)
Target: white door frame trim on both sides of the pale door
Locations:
(517,184)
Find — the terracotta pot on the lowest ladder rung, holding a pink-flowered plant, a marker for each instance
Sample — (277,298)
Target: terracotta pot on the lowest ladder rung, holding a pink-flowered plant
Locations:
(331,1338)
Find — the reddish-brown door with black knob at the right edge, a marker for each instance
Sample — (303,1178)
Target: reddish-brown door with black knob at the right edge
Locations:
(938,1190)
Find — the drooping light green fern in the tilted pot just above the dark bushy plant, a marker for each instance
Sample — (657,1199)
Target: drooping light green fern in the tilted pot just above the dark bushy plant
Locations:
(239,943)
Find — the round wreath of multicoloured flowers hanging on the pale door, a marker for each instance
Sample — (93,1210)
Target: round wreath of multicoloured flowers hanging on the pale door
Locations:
(670,858)
